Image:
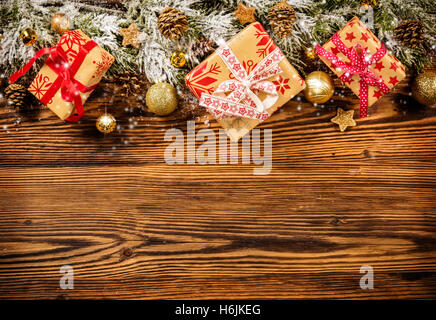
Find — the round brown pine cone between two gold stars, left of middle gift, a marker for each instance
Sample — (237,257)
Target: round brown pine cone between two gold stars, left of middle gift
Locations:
(172,23)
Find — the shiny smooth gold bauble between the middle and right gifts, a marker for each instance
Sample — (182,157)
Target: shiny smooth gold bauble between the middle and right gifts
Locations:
(319,87)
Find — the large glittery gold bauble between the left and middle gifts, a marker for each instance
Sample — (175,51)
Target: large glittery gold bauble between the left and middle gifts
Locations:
(161,98)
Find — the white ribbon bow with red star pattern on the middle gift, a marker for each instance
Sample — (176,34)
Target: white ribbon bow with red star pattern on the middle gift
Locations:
(237,97)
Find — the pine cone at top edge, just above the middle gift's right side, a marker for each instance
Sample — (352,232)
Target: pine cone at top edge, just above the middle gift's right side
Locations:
(282,19)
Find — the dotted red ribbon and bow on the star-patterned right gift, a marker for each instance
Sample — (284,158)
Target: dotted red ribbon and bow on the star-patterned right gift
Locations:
(359,64)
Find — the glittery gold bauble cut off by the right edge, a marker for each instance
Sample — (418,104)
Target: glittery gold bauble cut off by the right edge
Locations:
(424,88)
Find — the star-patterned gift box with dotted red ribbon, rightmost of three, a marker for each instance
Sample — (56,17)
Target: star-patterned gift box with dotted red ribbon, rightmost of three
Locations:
(362,62)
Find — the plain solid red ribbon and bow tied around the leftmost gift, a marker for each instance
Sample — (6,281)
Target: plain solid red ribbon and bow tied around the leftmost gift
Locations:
(70,87)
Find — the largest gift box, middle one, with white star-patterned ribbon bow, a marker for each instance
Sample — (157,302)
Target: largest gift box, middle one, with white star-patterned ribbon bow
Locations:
(244,81)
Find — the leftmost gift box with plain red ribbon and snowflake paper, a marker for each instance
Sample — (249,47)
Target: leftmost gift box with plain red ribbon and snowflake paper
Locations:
(71,72)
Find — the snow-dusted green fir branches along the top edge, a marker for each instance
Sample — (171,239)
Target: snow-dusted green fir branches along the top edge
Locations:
(210,19)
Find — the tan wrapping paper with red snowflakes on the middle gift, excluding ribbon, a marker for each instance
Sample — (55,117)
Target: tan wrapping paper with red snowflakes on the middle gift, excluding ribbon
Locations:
(251,46)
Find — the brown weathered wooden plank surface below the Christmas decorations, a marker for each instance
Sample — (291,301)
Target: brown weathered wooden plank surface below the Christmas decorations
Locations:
(134,227)
